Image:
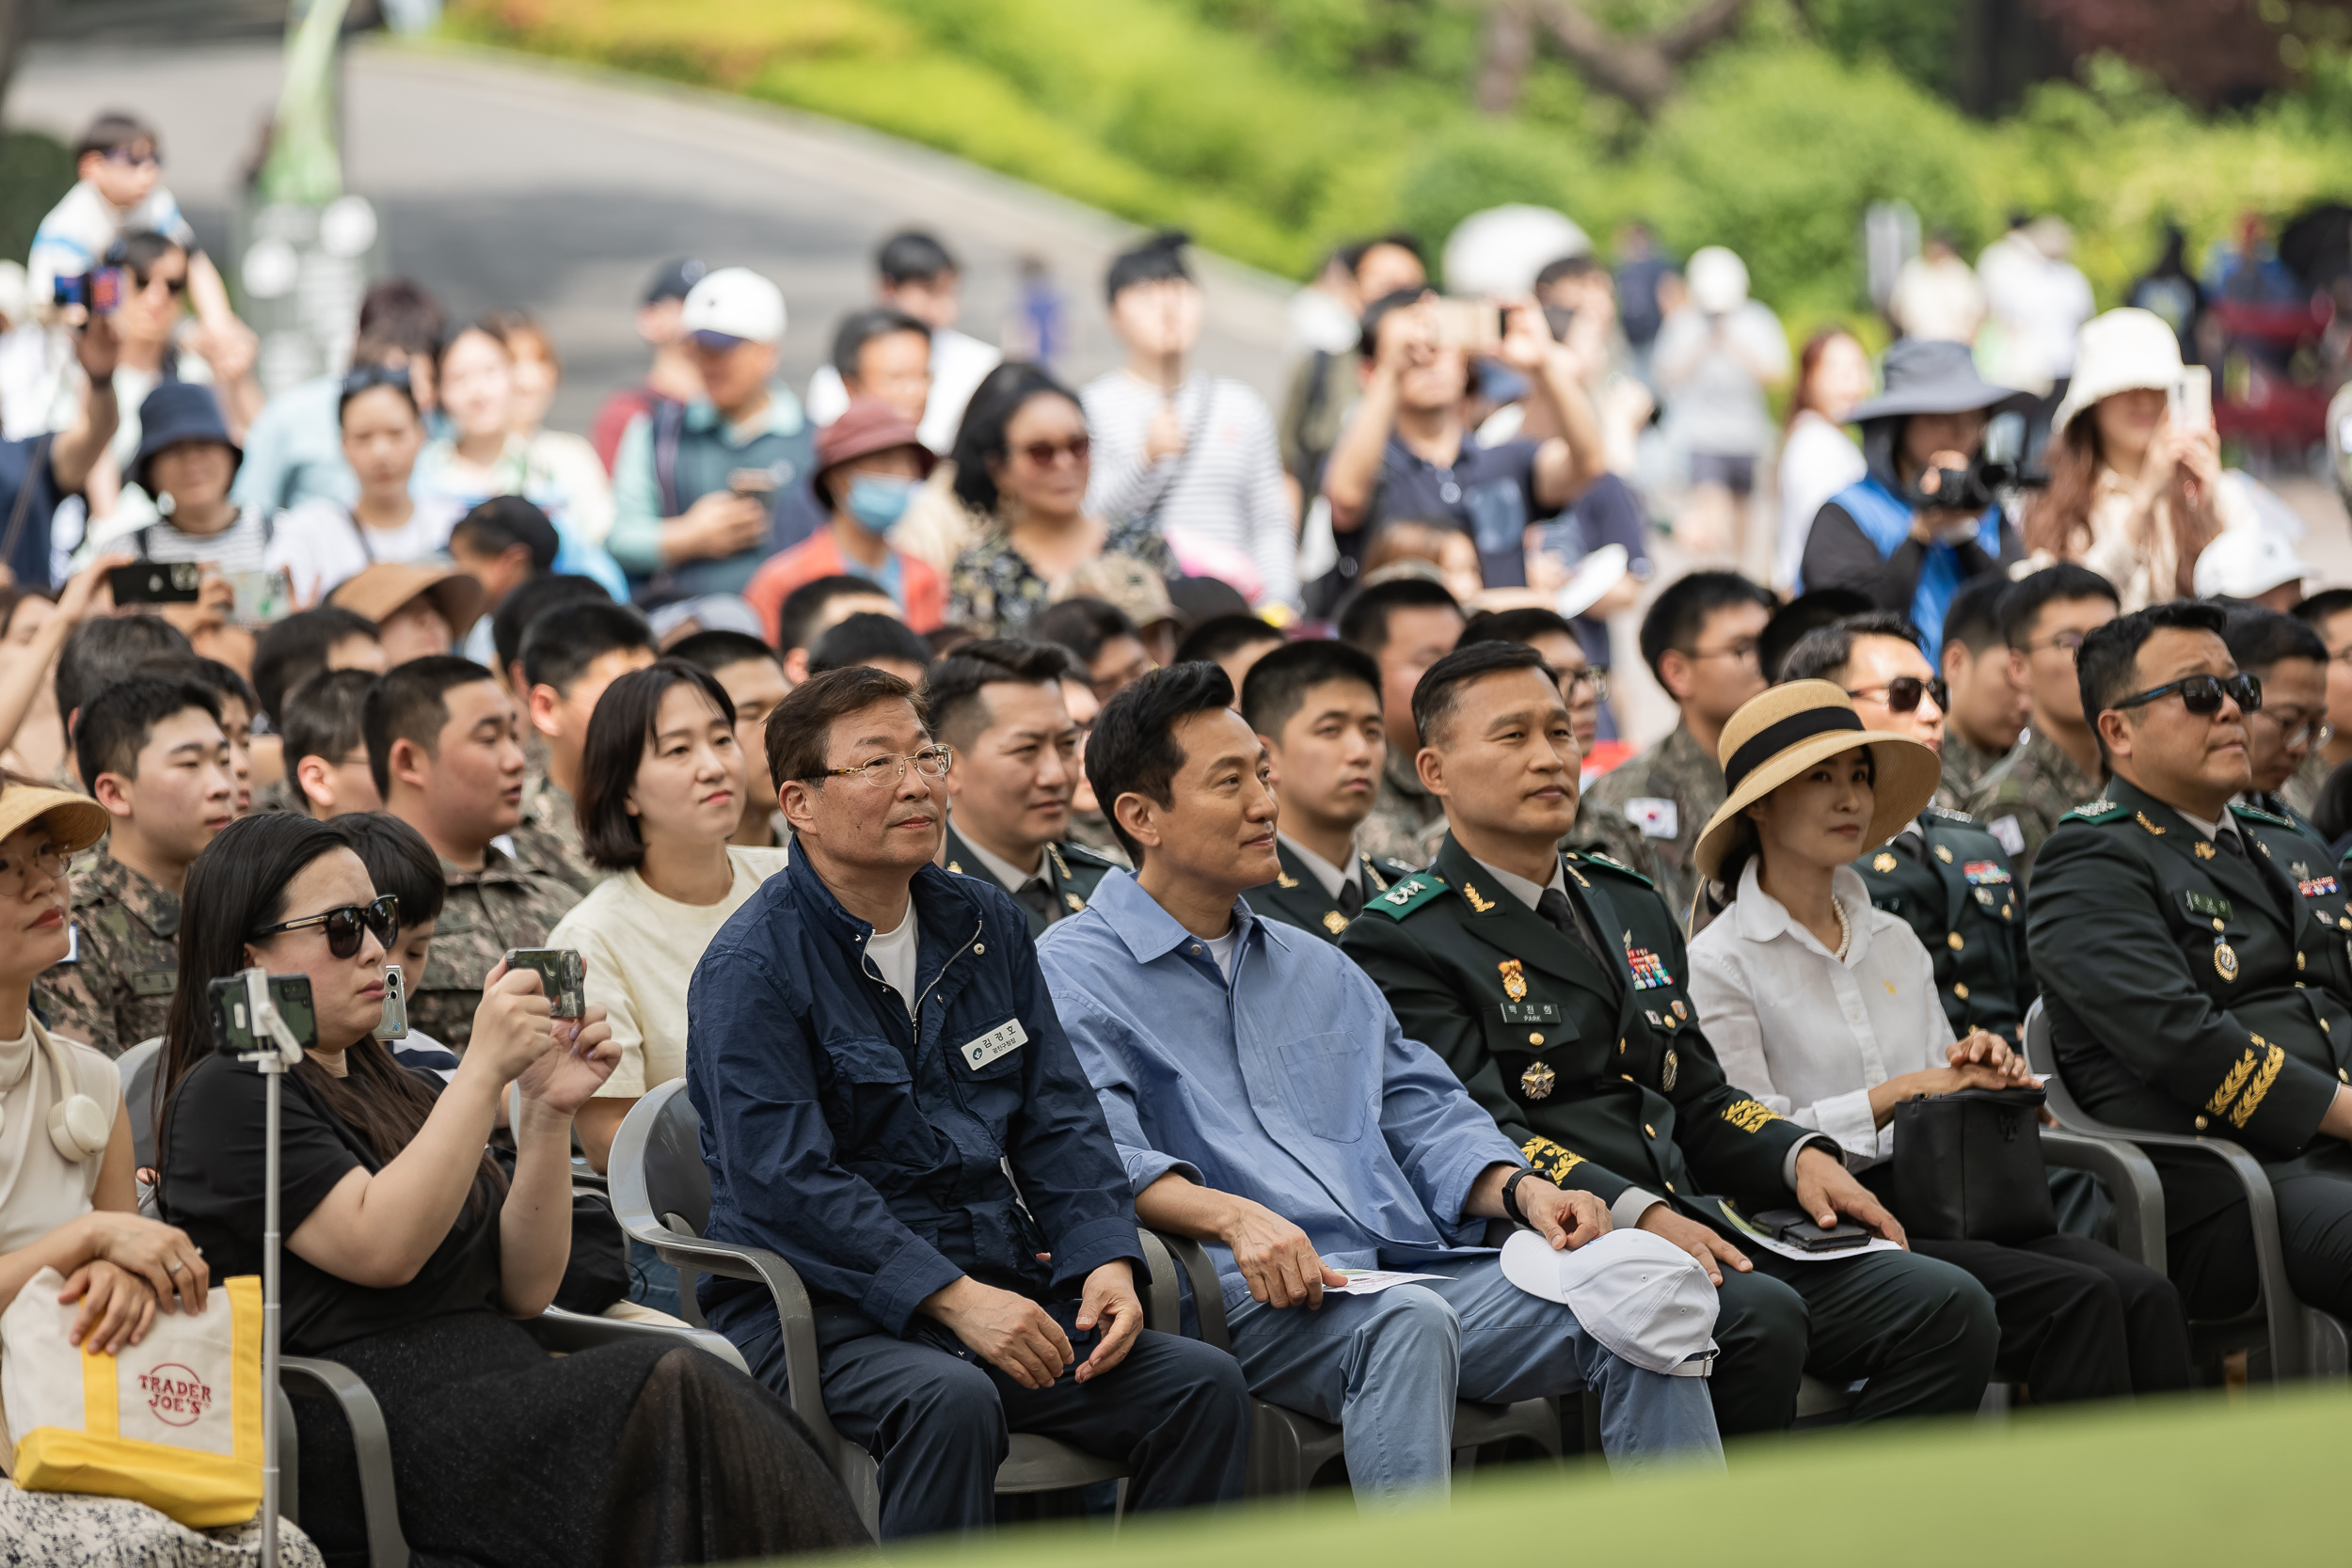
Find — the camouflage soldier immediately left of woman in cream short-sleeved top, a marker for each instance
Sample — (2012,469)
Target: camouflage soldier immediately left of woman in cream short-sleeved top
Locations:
(450,768)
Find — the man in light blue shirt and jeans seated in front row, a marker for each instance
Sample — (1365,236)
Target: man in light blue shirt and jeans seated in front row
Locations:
(1269,1106)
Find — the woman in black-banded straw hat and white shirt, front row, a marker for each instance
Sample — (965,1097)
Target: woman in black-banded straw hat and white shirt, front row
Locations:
(1826,1010)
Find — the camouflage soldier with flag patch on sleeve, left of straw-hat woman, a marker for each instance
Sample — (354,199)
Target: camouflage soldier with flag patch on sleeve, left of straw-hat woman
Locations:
(1702,643)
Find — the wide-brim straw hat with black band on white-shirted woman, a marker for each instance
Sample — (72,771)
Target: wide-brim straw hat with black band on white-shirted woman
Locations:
(1786,732)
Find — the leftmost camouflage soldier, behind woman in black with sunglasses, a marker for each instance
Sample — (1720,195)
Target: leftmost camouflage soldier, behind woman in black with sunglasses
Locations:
(159,760)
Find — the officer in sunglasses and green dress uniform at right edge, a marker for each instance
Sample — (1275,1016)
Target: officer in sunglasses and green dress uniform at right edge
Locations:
(2189,970)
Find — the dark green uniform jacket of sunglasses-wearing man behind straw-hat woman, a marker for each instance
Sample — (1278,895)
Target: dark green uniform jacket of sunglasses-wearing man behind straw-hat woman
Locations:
(1953,885)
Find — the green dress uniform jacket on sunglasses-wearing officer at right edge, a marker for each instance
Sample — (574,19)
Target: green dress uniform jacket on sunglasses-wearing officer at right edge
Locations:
(2186,989)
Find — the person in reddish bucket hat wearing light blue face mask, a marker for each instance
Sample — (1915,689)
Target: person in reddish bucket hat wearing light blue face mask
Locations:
(869,467)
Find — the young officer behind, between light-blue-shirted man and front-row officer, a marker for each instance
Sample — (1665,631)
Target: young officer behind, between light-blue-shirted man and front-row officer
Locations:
(1318,711)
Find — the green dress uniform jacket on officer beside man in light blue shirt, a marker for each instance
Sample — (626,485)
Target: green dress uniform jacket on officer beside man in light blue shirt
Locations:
(1603,1080)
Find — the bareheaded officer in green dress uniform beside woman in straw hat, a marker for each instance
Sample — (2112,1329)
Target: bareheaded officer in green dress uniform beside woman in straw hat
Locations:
(1556,991)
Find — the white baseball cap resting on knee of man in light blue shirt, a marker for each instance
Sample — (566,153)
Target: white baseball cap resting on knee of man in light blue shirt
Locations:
(1638,1294)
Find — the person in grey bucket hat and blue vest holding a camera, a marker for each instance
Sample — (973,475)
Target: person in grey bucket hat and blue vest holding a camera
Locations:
(1887,532)
